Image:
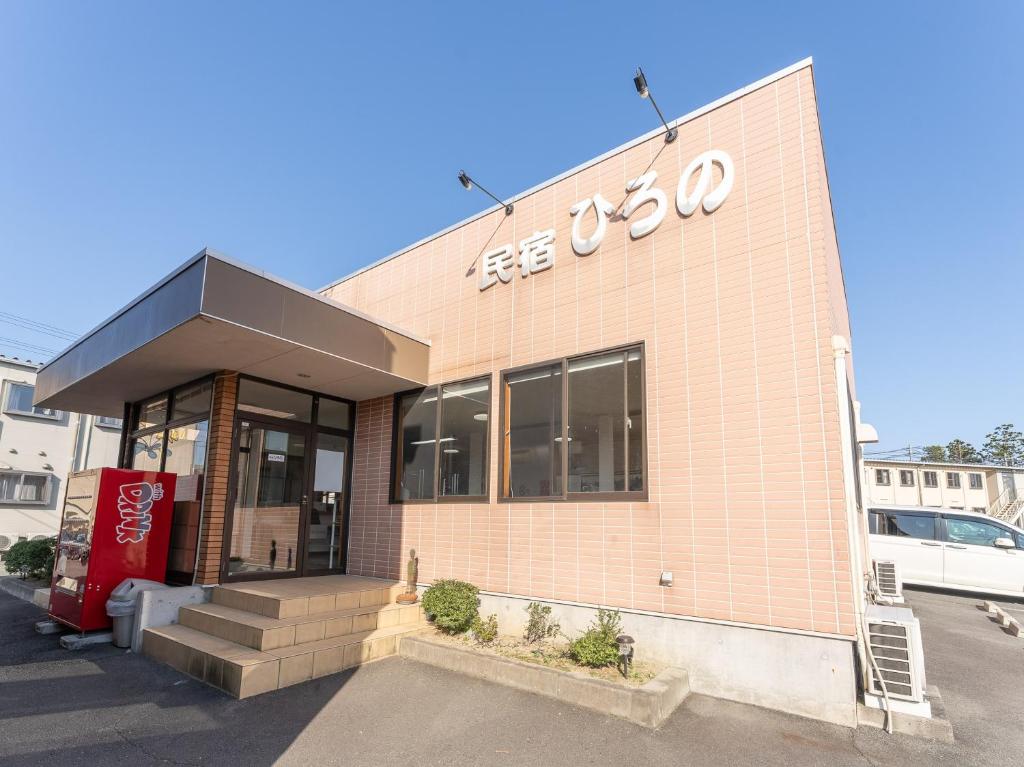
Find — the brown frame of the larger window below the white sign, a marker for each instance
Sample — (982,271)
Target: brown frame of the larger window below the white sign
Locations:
(626,496)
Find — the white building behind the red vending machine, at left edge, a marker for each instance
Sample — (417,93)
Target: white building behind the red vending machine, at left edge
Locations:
(38,448)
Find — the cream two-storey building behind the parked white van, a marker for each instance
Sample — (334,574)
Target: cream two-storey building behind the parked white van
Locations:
(983,488)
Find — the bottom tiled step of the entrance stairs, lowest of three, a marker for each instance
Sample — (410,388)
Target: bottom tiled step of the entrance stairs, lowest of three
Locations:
(243,672)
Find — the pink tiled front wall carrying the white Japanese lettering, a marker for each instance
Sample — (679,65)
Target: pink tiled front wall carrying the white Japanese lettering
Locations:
(737,310)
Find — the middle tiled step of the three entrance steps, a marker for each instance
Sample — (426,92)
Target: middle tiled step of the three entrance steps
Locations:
(263,633)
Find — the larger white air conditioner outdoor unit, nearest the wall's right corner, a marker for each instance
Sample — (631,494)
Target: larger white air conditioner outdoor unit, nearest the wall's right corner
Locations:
(894,636)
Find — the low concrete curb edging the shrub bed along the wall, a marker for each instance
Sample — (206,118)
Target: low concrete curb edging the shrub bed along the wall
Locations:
(648,706)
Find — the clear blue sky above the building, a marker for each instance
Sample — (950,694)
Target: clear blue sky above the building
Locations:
(134,135)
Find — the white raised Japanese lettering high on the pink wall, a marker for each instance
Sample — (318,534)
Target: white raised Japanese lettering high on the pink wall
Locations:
(537,252)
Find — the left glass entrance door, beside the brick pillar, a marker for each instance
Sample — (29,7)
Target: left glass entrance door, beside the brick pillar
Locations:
(271,500)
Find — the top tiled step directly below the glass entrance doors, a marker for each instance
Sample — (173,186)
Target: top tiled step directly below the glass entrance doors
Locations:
(308,596)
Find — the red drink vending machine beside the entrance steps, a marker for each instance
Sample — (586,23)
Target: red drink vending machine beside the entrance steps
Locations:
(116,525)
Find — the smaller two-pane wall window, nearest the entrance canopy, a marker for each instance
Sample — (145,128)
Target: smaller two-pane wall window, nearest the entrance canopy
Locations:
(442,443)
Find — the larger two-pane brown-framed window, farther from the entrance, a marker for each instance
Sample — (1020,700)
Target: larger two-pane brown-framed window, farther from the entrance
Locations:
(575,429)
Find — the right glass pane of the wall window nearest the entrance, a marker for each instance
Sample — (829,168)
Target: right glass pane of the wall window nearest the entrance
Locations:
(463,440)
